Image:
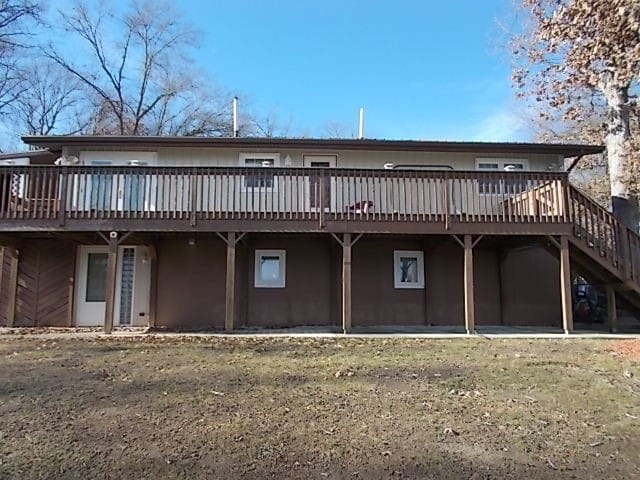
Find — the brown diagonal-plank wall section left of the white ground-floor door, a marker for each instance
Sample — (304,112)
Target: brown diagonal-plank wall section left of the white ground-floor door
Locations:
(45,277)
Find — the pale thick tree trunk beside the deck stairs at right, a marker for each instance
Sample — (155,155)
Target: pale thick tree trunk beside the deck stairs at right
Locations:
(617,141)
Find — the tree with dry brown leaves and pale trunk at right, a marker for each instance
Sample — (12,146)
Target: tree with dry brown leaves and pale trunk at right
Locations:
(580,57)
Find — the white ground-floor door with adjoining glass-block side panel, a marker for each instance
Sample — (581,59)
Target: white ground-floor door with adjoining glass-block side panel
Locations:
(132,286)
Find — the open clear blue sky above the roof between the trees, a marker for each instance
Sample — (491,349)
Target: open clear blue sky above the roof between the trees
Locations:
(422,69)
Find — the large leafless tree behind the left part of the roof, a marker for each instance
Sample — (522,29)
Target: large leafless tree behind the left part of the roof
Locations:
(138,69)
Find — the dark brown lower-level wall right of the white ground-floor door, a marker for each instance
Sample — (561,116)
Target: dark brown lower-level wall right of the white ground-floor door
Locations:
(191,284)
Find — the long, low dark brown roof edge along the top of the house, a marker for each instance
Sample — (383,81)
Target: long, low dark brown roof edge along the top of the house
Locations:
(56,142)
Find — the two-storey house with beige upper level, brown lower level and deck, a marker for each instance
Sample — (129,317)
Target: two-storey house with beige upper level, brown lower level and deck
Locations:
(233,233)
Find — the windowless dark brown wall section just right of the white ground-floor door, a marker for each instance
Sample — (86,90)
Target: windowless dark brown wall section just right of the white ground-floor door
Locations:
(191,283)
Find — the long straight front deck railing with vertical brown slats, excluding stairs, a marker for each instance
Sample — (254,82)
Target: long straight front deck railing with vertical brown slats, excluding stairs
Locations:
(273,193)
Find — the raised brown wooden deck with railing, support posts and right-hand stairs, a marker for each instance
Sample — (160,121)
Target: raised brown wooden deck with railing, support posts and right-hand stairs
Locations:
(341,202)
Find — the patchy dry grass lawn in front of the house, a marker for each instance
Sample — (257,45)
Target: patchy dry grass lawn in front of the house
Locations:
(175,407)
